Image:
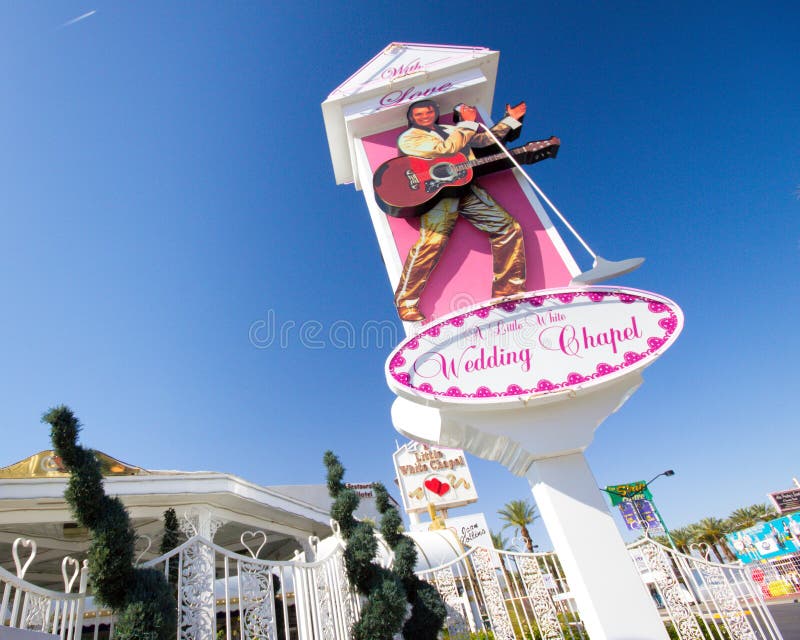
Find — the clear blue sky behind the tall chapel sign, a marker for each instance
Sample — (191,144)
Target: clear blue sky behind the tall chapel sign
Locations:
(167,184)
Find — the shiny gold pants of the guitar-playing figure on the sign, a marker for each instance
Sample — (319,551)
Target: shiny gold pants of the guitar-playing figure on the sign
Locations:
(483,213)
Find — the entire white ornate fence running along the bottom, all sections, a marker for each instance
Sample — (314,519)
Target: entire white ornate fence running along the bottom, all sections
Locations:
(513,596)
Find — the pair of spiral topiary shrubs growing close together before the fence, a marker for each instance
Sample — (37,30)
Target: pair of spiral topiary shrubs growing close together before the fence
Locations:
(388,592)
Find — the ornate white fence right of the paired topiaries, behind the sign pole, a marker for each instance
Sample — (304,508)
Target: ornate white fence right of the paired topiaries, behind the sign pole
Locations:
(521,595)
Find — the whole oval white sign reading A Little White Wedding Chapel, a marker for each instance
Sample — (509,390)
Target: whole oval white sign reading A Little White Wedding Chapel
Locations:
(541,343)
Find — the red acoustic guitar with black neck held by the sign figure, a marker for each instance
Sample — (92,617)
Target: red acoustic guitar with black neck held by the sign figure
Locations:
(407,186)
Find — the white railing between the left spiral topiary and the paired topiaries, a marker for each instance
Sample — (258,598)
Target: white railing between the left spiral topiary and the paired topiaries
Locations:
(246,597)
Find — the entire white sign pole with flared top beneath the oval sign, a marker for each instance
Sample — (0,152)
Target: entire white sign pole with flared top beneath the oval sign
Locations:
(545,442)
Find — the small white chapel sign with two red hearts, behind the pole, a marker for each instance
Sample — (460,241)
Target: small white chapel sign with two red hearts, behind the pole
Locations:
(434,476)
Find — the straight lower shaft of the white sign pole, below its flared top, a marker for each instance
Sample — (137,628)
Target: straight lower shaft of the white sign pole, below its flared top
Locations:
(612,599)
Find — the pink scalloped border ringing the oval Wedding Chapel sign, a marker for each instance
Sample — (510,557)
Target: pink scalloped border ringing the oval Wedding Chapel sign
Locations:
(668,323)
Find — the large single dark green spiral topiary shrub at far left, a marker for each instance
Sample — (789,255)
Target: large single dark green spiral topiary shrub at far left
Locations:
(142,598)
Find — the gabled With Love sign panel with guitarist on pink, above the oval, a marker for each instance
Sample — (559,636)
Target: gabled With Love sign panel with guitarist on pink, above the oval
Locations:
(416,120)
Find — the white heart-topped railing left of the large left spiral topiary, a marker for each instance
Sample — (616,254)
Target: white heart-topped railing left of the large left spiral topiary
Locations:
(30,607)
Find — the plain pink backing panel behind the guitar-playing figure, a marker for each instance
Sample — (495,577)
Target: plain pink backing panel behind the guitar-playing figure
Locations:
(464,273)
